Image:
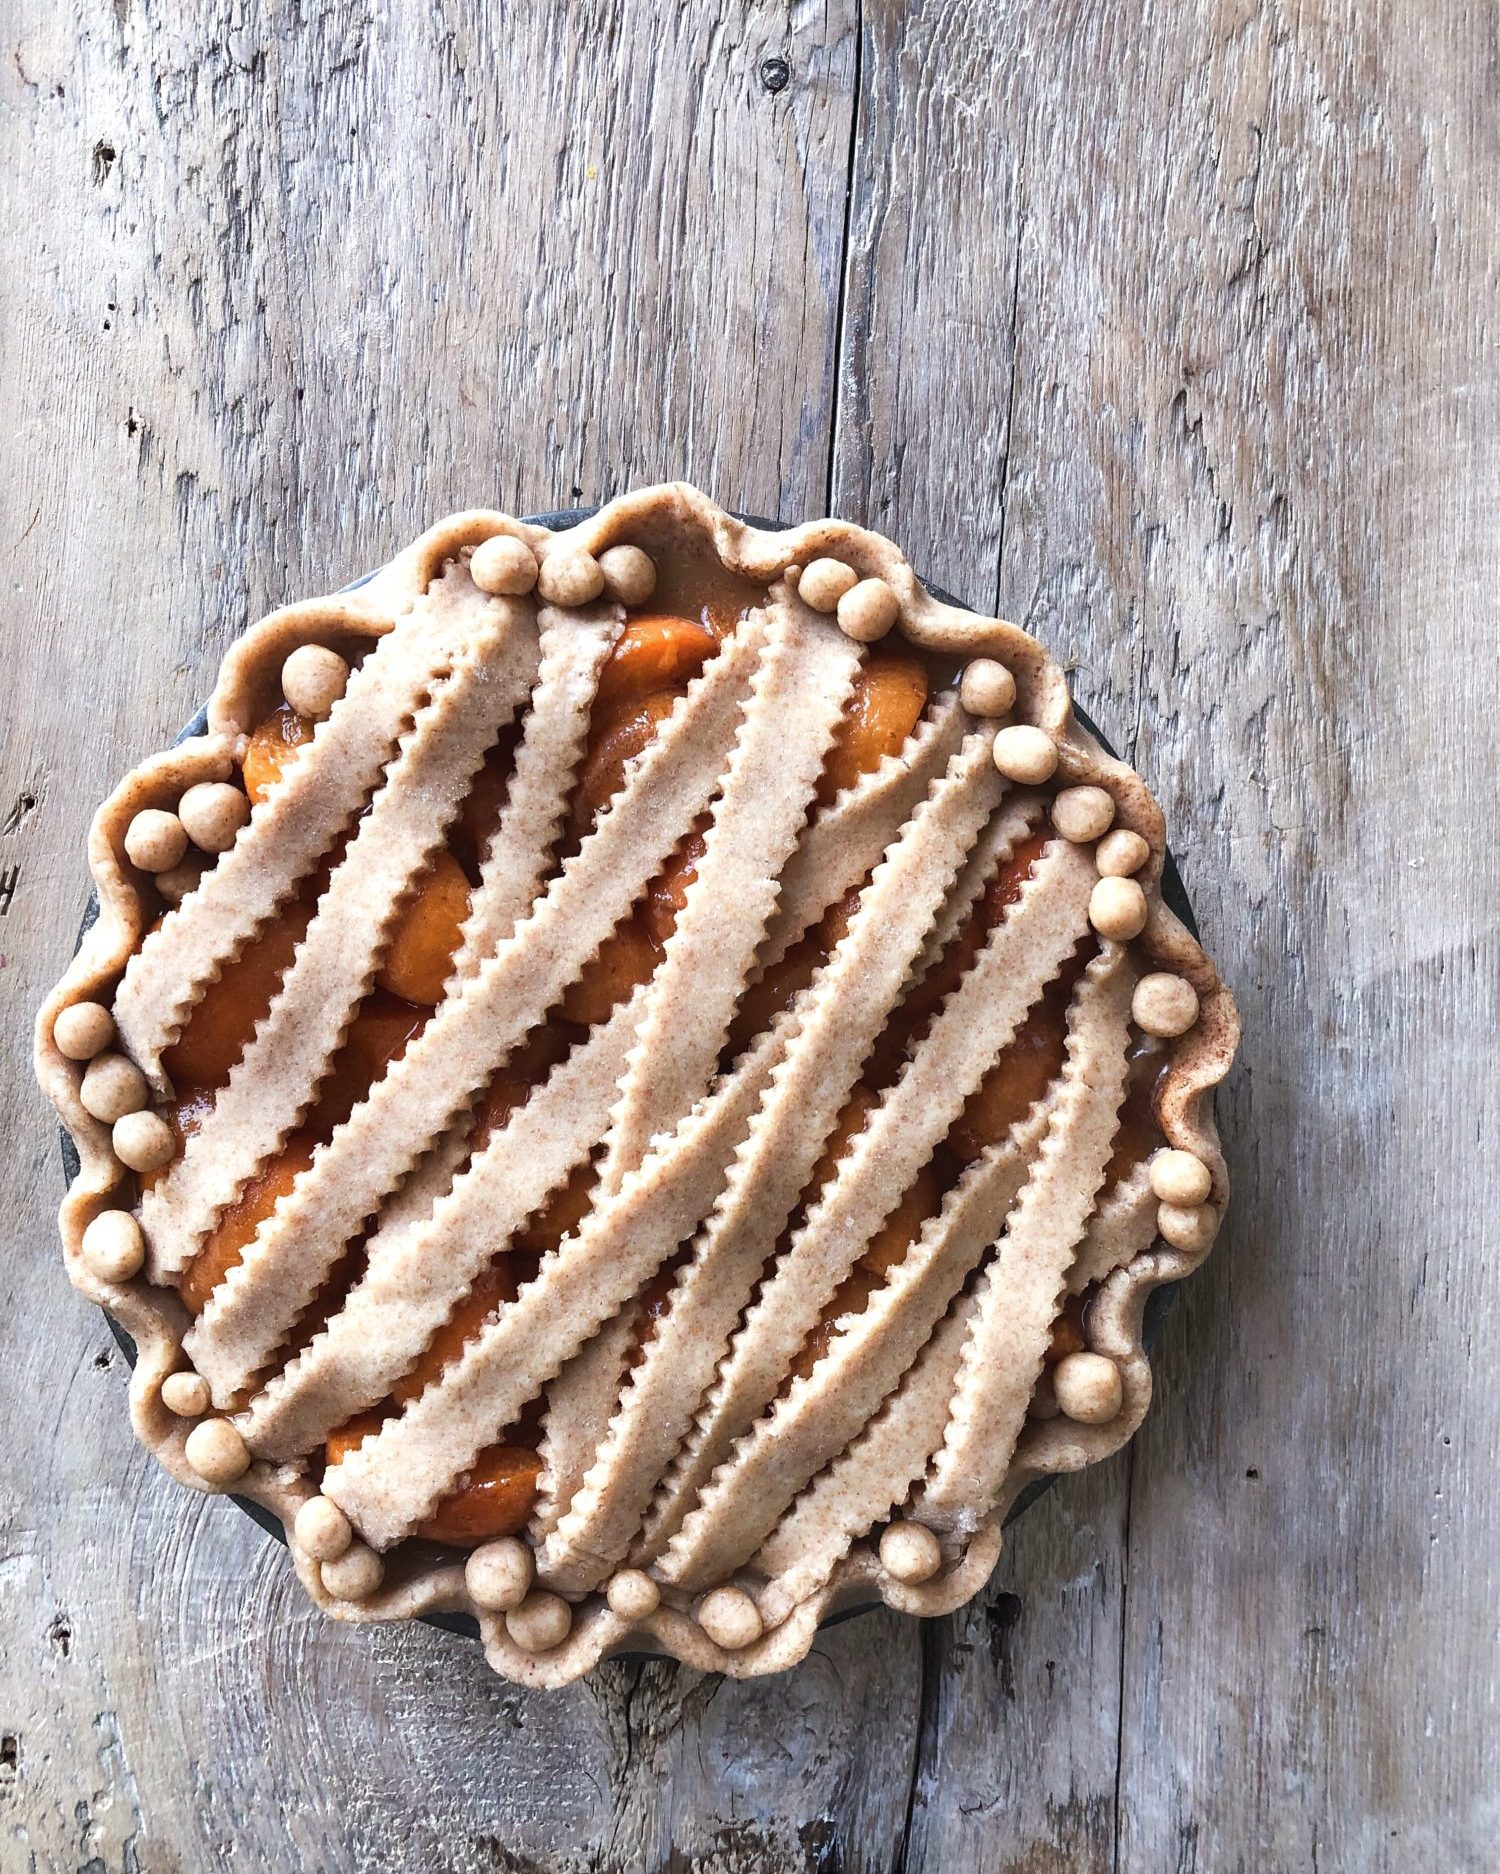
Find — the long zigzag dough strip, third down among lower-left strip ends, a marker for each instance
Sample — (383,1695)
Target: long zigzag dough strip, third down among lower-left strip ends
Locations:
(473,1032)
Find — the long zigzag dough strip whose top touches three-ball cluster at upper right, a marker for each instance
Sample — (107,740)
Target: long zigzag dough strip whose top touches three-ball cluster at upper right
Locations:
(1019,959)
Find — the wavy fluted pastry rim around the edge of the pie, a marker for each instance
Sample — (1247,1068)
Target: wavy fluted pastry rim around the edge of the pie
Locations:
(248,687)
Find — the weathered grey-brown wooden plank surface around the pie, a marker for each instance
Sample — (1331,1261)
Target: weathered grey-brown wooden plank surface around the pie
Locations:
(1169,331)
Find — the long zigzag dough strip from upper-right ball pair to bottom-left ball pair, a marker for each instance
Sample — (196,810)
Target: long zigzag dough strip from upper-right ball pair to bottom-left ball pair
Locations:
(848,1004)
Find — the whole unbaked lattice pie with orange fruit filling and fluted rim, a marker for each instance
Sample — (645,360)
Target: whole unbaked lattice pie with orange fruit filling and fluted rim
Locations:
(635,1084)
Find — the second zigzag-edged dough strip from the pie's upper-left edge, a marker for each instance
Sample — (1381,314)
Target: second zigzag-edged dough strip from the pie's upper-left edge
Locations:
(275,1082)
